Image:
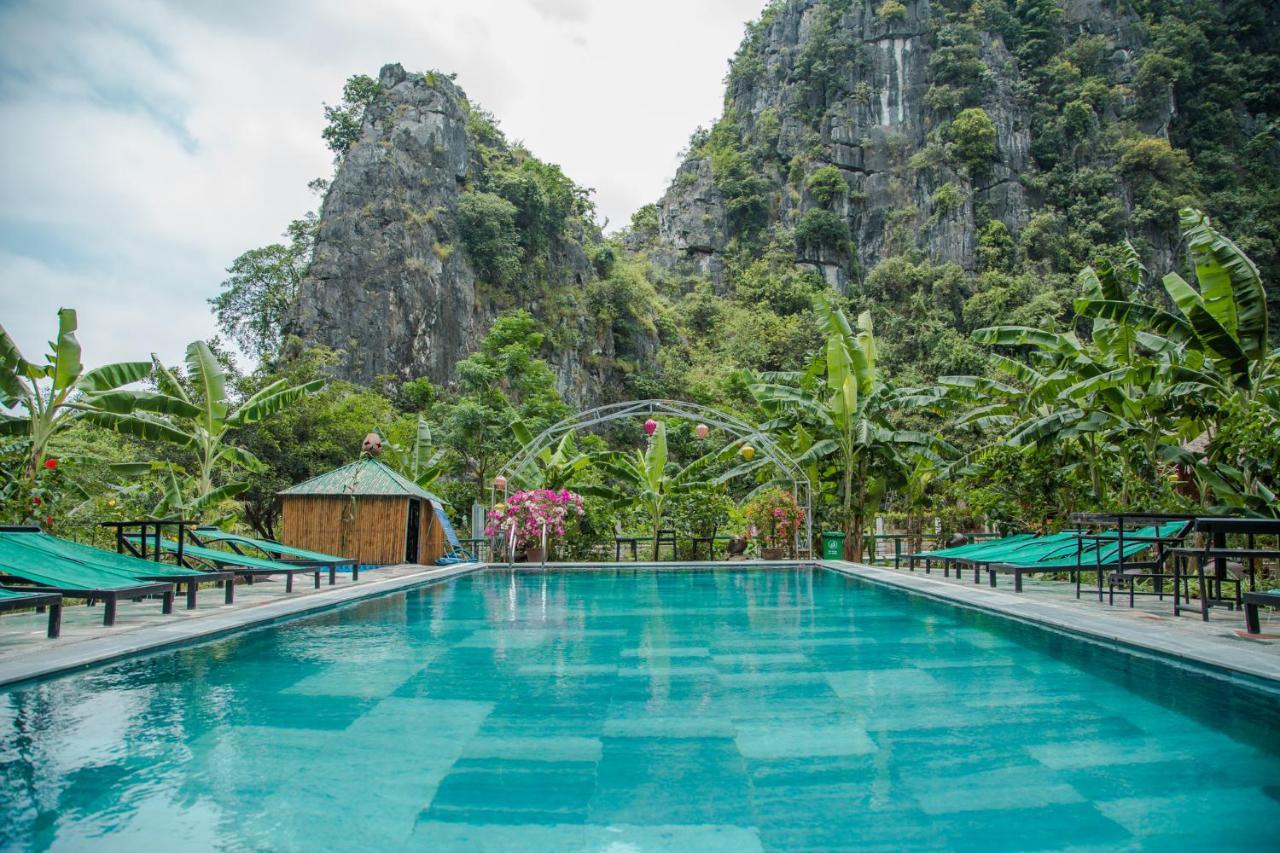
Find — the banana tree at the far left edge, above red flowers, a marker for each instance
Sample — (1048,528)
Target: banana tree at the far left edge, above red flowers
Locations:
(53,395)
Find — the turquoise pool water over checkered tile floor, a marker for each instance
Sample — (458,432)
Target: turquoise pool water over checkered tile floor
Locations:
(639,710)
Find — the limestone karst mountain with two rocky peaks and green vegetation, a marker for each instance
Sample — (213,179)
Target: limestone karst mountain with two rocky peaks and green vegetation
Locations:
(943,163)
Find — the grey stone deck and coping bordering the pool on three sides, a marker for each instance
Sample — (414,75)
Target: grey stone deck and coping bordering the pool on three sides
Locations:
(26,654)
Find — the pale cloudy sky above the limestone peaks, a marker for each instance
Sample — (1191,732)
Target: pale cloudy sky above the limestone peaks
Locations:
(145,144)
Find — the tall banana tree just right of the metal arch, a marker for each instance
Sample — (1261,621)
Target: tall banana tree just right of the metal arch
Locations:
(838,414)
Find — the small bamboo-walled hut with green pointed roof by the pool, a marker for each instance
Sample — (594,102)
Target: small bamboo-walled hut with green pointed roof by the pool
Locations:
(365,512)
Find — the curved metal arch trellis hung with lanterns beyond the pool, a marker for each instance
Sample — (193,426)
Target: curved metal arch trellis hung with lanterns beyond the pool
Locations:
(740,430)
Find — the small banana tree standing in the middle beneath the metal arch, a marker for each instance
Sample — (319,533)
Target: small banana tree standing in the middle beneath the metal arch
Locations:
(647,481)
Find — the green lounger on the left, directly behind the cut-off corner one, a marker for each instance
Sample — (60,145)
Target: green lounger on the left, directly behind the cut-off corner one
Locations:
(72,578)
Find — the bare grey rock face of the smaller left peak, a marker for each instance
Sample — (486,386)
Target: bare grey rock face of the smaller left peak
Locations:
(387,286)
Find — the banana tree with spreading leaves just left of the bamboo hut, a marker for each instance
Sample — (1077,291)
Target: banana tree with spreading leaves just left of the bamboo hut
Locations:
(203,421)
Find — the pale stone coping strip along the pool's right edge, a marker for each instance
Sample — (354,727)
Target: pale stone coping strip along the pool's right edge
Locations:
(1148,640)
